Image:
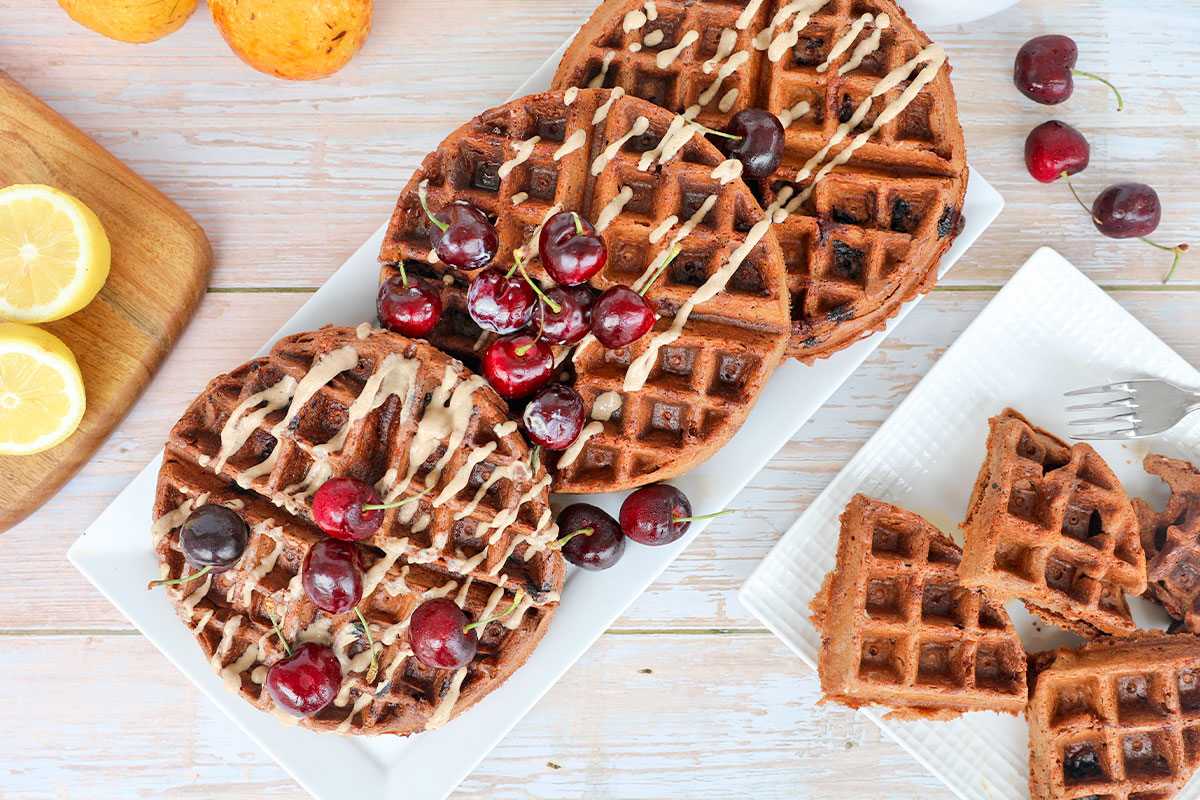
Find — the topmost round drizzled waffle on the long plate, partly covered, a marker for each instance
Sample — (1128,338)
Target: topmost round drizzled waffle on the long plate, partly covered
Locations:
(862,238)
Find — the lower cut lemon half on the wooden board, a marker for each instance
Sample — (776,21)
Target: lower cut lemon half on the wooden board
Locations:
(41,390)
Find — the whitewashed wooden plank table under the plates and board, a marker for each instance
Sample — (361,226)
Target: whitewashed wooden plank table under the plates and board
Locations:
(687,696)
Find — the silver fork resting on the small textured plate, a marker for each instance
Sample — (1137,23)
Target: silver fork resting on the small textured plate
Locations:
(1147,407)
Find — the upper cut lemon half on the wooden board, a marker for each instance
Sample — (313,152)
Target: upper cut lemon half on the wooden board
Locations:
(55,255)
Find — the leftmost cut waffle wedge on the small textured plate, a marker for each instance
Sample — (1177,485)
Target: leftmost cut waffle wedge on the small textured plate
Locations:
(898,629)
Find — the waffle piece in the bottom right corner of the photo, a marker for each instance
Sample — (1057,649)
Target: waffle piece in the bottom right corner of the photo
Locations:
(1117,719)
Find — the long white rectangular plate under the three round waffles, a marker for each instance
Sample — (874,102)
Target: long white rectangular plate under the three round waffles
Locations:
(117,557)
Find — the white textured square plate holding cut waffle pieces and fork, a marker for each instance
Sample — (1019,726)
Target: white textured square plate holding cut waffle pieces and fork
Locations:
(1048,332)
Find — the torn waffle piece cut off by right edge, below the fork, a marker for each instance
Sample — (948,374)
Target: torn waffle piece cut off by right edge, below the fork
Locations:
(1172,540)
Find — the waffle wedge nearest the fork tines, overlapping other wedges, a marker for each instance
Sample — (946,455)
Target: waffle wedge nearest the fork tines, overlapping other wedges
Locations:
(1052,525)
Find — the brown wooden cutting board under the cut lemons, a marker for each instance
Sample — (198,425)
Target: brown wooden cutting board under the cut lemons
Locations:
(161,263)
